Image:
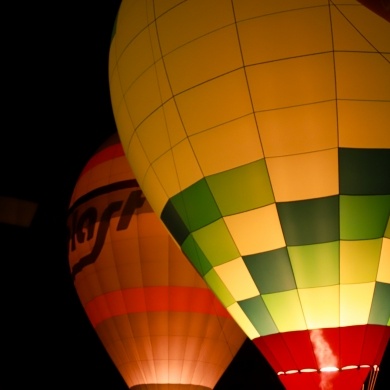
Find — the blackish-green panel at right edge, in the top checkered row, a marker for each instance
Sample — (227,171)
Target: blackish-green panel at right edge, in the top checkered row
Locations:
(364,171)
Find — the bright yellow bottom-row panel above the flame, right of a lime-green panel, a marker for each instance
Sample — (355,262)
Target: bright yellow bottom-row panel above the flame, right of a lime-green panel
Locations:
(321,306)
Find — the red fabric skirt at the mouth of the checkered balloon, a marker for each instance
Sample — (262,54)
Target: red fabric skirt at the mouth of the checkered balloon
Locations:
(335,356)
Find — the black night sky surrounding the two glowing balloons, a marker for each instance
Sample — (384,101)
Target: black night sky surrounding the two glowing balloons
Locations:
(56,113)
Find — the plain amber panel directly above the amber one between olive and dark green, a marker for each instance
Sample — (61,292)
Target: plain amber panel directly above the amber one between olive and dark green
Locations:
(298,129)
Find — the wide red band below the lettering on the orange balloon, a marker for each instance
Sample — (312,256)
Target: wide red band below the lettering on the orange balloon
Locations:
(153,299)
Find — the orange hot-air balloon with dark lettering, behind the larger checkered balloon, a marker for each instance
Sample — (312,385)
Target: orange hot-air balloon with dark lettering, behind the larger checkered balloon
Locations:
(159,322)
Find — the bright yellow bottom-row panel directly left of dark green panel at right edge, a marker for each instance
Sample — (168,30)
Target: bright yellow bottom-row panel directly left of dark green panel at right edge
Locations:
(355,303)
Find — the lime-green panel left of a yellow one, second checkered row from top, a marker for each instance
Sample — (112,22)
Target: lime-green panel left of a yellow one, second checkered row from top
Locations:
(216,243)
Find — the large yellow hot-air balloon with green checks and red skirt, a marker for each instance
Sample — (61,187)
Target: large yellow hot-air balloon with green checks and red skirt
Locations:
(259,133)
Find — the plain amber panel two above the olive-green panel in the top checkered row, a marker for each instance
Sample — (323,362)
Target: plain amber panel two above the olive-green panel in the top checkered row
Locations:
(221,100)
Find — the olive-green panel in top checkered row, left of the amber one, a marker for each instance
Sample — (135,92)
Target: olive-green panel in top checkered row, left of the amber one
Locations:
(242,189)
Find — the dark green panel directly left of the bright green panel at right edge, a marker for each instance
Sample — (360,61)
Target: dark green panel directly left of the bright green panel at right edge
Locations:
(311,221)
